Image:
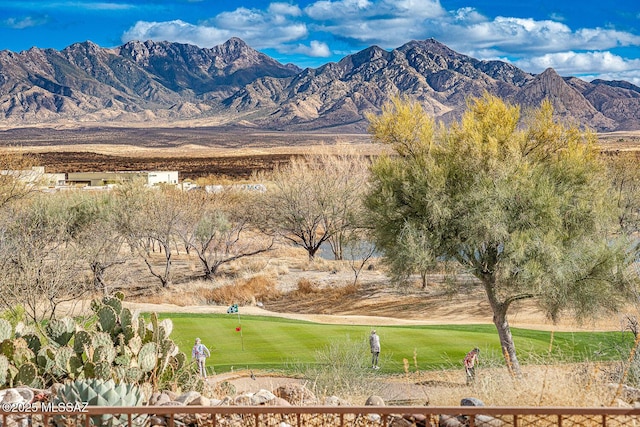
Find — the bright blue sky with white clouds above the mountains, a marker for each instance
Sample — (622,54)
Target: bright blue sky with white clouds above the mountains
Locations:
(589,39)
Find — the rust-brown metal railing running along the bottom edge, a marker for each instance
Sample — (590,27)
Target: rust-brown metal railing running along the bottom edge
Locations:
(302,416)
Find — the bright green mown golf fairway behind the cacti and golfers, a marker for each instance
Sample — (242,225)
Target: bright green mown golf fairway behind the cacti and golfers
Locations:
(275,343)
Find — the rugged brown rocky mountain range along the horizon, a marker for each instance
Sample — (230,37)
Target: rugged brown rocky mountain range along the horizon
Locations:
(232,84)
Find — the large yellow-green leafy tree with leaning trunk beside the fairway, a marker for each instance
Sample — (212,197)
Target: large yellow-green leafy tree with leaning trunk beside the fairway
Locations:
(521,203)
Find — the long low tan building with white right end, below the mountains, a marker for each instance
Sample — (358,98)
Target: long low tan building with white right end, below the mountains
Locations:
(99,179)
